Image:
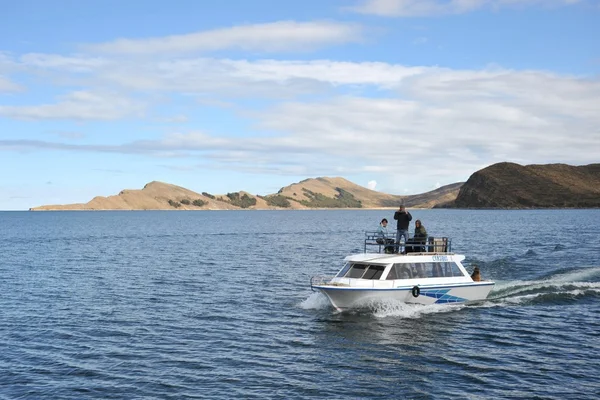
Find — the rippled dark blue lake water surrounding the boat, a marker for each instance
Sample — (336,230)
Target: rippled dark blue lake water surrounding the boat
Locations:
(217,305)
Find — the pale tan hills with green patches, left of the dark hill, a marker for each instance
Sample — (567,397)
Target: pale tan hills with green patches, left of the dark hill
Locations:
(309,193)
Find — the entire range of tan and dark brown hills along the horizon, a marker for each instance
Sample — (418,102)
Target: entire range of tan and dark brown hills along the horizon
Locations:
(499,186)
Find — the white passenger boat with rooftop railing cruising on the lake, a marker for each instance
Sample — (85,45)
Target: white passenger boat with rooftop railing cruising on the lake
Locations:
(425,272)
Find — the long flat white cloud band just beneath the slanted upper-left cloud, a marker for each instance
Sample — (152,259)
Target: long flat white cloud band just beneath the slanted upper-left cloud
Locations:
(262,78)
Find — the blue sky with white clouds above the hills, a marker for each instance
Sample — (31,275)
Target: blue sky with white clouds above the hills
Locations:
(401,96)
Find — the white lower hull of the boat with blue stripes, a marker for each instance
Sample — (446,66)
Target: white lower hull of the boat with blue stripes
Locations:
(344,298)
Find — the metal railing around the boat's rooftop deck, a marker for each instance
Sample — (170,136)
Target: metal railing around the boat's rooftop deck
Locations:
(376,243)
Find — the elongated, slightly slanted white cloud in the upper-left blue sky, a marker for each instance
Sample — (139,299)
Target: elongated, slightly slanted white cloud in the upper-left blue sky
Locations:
(269,37)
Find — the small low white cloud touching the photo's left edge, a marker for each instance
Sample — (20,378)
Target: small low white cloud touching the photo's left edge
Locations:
(79,105)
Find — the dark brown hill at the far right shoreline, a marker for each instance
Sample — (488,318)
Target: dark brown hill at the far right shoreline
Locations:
(513,186)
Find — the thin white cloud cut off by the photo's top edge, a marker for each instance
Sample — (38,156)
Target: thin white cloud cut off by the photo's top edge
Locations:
(420,8)
